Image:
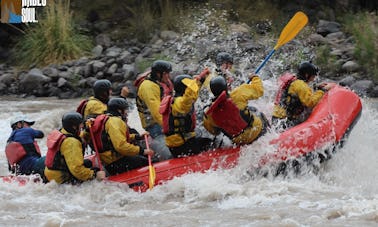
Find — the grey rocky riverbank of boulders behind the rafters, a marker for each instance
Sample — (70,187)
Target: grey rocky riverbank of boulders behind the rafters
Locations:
(120,60)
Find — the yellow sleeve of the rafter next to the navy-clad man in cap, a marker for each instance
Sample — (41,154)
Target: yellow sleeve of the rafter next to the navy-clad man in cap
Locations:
(72,151)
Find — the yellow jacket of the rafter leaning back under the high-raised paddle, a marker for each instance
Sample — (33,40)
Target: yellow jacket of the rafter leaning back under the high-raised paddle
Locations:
(240,97)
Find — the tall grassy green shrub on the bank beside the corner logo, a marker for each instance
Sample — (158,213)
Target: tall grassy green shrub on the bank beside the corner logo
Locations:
(52,40)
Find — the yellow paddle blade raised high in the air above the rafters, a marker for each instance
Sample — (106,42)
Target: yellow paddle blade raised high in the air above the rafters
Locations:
(295,25)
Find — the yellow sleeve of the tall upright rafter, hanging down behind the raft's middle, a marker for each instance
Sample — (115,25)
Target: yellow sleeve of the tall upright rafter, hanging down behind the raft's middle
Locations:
(149,92)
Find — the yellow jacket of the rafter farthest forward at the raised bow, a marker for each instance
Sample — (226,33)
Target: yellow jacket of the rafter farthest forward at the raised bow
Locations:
(301,90)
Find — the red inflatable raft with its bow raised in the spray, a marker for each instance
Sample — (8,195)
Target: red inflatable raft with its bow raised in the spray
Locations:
(328,126)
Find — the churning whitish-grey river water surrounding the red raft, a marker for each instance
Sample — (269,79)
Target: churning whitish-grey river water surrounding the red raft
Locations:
(343,193)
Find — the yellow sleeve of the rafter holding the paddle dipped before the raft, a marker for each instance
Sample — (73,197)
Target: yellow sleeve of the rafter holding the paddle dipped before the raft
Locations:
(116,129)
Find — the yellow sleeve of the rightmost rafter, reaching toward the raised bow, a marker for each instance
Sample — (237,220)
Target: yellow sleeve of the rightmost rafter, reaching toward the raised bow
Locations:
(305,94)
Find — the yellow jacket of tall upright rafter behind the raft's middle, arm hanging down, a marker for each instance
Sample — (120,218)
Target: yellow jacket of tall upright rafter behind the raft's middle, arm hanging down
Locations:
(148,103)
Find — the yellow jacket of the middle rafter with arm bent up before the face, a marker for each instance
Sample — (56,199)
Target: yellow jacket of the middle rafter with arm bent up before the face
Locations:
(182,106)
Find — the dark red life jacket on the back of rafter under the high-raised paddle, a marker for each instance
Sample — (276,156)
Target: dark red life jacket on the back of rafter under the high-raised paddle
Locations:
(228,117)
